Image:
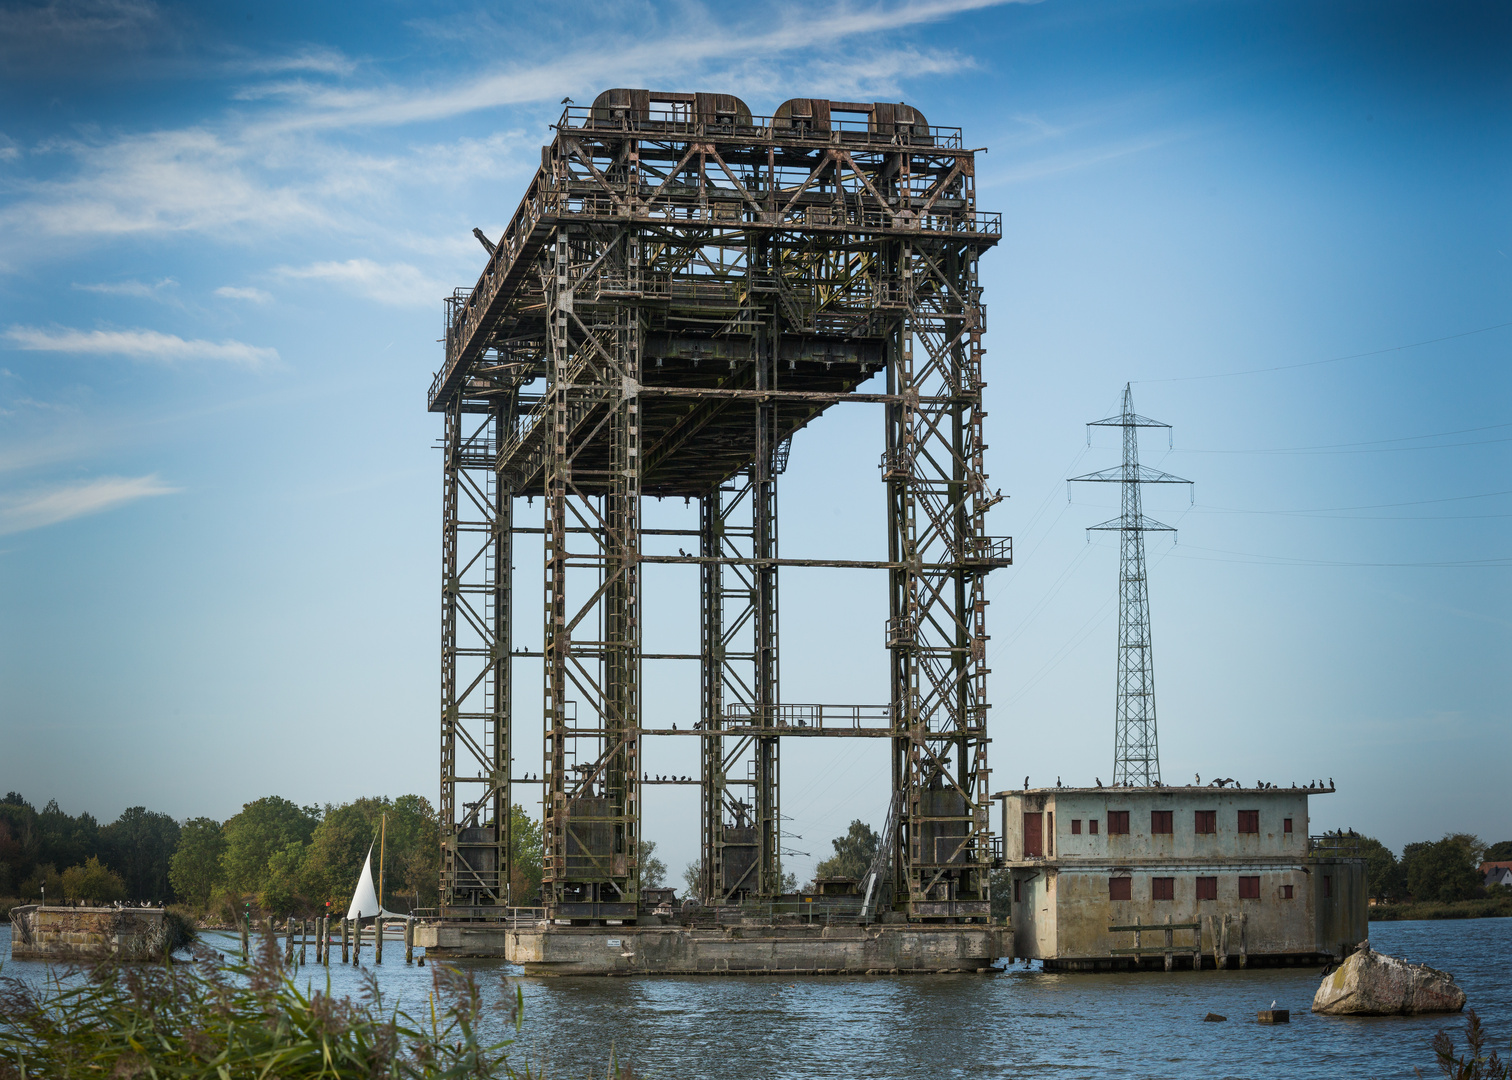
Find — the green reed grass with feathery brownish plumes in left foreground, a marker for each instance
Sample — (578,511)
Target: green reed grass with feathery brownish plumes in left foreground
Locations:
(232,1020)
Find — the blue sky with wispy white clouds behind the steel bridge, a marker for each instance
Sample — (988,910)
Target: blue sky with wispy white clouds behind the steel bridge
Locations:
(226,232)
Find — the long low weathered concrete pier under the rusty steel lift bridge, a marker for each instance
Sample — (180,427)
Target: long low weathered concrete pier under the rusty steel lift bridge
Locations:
(736,951)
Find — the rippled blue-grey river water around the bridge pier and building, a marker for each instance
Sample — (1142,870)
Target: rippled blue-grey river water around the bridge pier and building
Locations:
(1020,1023)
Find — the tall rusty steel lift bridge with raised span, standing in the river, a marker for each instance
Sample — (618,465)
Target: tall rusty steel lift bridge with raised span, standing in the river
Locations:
(681,290)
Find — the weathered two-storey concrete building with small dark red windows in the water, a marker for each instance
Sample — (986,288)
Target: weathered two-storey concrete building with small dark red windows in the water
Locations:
(1230,871)
